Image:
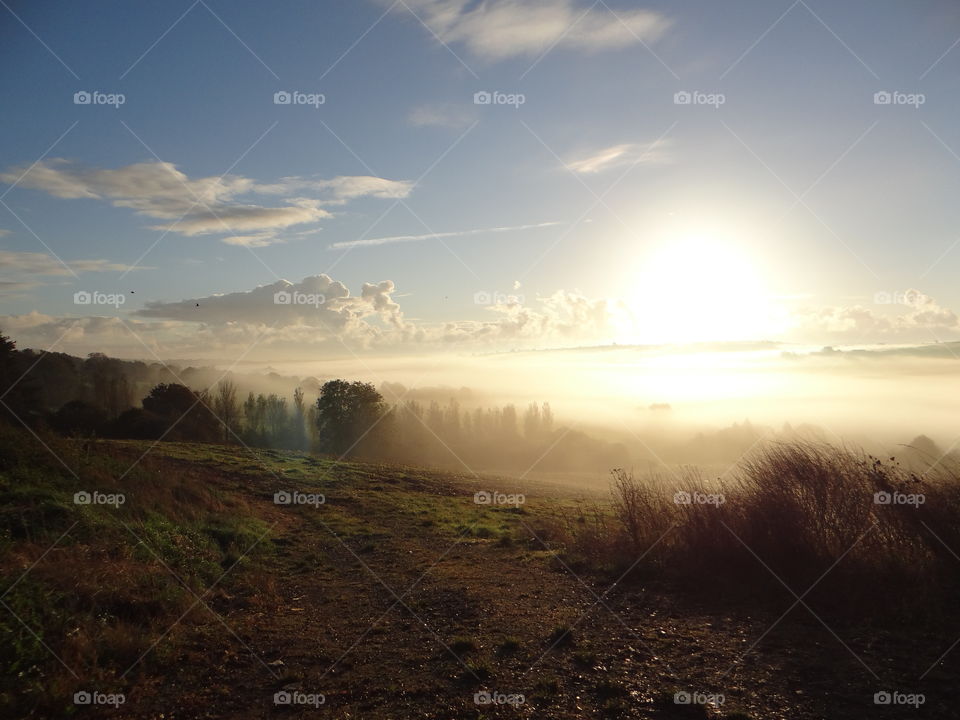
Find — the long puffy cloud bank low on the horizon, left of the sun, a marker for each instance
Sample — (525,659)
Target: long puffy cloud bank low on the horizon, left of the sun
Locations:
(316,314)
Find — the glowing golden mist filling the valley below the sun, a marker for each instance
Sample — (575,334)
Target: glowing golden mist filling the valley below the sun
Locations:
(873,395)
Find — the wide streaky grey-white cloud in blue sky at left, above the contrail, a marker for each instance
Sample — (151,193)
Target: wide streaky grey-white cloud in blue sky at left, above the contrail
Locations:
(201,206)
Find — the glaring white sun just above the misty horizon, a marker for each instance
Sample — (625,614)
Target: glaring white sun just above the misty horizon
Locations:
(697,288)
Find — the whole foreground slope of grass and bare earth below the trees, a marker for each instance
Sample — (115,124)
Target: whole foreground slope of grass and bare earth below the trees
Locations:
(398,597)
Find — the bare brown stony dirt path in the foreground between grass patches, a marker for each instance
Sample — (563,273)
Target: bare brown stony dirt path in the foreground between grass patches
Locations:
(475,615)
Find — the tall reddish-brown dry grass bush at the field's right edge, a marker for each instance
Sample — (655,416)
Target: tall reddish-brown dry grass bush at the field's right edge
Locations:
(789,513)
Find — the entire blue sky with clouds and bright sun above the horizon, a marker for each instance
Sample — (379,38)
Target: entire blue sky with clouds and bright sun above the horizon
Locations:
(249,180)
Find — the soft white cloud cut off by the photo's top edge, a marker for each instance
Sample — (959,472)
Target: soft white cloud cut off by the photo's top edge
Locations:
(500,29)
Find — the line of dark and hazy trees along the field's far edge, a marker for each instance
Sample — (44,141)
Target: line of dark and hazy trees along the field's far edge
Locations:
(96,396)
